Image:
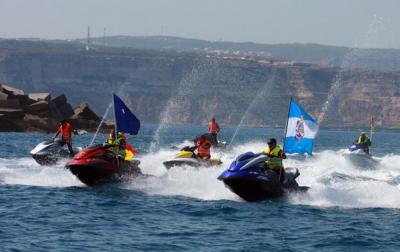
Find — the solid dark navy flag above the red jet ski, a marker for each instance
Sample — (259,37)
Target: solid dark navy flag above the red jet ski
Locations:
(125,120)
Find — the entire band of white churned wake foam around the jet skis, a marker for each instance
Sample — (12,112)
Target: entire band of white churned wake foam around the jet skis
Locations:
(334,181)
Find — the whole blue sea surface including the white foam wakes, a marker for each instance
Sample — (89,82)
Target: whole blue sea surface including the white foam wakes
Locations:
(351,206)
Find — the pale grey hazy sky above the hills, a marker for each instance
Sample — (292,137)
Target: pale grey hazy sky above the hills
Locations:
(361,23)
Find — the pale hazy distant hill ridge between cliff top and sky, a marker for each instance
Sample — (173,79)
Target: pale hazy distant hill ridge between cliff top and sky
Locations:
(378,59)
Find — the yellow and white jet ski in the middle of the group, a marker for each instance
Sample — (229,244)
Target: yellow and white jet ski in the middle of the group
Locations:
(187,157)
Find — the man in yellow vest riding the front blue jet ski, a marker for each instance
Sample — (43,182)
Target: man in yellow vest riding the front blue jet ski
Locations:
(275,156)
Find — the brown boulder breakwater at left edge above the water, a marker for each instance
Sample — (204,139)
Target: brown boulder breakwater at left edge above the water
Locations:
(39,112)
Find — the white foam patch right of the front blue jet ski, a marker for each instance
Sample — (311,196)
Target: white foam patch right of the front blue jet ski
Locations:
(335,181)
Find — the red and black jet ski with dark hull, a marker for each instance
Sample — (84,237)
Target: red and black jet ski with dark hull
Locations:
(98,165)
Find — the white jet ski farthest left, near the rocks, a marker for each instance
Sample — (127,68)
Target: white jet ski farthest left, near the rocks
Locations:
(49,152)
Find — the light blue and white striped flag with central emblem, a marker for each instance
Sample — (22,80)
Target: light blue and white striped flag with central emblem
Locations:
(301,130)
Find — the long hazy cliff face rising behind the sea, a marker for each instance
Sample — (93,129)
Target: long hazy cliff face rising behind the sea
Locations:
(187,88)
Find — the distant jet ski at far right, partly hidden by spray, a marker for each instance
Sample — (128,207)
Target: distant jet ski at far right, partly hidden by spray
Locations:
(357,156)
